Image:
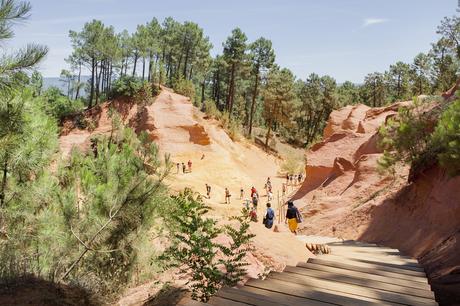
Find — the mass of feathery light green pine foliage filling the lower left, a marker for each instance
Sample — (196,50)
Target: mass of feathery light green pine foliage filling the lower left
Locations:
(83,224)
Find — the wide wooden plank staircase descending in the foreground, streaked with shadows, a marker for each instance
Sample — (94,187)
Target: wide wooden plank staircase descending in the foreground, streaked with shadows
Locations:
(353,274)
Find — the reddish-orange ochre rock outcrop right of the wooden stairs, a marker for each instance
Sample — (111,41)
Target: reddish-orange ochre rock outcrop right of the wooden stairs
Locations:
(345,195)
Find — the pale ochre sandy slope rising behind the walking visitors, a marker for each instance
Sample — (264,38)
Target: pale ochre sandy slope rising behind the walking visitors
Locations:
(234,165)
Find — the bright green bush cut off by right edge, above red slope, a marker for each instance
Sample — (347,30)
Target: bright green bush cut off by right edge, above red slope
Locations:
(447,137)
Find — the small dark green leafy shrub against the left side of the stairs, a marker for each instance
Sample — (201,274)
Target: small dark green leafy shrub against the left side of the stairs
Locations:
(194,251)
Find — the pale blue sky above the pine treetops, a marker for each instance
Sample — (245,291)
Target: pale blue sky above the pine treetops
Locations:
(343,38)
